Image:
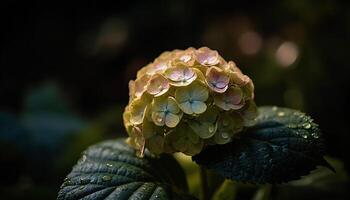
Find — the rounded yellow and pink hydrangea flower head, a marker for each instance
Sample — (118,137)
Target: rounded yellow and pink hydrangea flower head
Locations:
(187,99)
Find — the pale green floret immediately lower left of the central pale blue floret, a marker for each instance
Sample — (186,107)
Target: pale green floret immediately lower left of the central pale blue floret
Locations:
(165,111)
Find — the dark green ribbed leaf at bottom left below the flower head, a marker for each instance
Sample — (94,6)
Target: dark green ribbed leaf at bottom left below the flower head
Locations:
(111,170)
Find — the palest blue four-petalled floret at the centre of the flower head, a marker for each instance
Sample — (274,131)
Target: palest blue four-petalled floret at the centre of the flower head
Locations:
(192,98)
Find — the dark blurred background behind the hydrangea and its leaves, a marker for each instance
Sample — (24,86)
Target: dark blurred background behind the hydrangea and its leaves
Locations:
(65,69)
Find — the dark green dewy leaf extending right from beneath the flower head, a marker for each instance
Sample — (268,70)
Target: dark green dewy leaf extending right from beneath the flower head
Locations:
(283,145)
